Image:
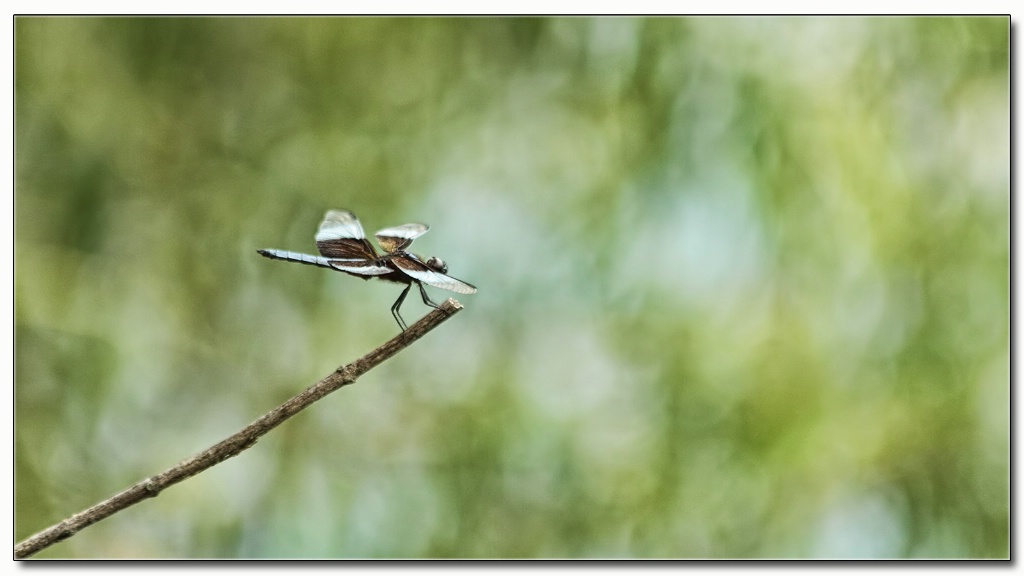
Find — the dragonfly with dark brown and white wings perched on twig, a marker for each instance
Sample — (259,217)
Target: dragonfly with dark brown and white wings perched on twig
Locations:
(345,248)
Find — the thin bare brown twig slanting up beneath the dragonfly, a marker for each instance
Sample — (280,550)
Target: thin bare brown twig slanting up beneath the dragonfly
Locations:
(238,442)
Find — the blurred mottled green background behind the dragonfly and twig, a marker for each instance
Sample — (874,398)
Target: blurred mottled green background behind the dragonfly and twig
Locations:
(744,285)
